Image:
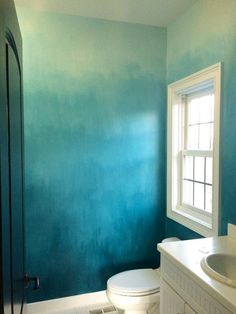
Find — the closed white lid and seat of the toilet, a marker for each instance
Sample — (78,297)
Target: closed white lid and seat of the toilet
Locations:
(135,282)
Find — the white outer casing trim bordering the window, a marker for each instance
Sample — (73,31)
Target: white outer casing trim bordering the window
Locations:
(185,218)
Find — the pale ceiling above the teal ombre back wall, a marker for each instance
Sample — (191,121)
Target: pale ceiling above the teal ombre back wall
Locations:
(147,12)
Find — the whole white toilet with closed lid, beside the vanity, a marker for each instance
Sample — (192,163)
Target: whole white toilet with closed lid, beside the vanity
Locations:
(136,291)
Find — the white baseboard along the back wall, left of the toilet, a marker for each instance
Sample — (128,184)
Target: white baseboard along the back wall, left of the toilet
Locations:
(77,301)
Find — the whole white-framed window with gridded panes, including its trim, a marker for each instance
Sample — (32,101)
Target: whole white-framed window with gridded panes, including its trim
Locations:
(193,151)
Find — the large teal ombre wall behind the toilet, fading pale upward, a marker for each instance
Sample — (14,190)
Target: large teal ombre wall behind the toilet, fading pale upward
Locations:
(95,129)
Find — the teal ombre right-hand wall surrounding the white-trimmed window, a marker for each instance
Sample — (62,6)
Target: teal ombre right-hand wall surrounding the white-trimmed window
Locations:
(203,36)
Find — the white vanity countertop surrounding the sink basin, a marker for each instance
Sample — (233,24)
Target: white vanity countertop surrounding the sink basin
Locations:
(187,256)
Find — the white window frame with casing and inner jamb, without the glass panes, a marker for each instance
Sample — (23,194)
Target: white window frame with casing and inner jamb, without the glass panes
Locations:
(206,225)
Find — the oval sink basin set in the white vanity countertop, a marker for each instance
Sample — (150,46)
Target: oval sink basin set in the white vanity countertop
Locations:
(221,267)
